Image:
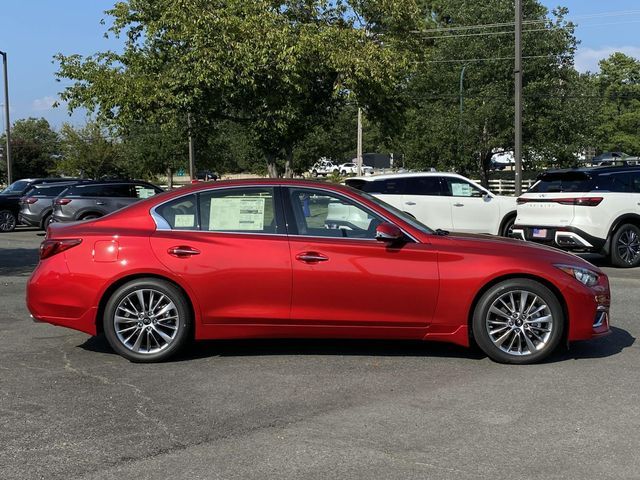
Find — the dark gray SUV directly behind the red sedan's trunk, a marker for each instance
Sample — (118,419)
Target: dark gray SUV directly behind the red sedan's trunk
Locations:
(95,199)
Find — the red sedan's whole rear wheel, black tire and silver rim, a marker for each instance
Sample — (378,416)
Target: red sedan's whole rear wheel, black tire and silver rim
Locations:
(148,324)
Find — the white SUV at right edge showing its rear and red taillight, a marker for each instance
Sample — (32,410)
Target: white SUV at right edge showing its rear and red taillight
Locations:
(586,209)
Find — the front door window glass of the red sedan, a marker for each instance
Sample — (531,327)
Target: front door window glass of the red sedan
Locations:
(322,214)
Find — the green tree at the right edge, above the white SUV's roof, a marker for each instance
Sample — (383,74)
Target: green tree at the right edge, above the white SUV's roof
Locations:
(618,118)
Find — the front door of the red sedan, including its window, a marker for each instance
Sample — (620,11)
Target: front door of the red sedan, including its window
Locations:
(343,277)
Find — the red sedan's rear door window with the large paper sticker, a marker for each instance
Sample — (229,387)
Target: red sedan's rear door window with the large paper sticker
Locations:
(244,210)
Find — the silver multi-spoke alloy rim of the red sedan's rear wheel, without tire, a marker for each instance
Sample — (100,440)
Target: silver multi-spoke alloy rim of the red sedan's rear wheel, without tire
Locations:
(146,321)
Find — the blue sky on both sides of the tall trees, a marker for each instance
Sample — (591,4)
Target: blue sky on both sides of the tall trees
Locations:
(32,31)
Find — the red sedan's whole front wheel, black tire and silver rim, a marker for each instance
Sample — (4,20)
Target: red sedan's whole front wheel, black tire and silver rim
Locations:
(545,342)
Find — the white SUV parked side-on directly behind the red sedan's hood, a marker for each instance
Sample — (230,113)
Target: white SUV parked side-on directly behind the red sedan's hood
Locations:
(447,201)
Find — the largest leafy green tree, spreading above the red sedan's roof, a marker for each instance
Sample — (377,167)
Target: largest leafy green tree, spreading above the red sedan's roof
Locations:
(280,68)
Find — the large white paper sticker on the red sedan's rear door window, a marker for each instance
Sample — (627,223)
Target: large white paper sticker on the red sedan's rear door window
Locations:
(237,213)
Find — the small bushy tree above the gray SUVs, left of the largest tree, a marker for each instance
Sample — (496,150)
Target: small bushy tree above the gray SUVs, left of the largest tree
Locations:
(89,153)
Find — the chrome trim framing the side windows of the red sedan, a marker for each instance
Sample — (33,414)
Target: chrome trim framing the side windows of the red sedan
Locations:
(163,225)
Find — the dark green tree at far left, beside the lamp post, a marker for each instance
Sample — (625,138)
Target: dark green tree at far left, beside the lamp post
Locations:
(34,148)
